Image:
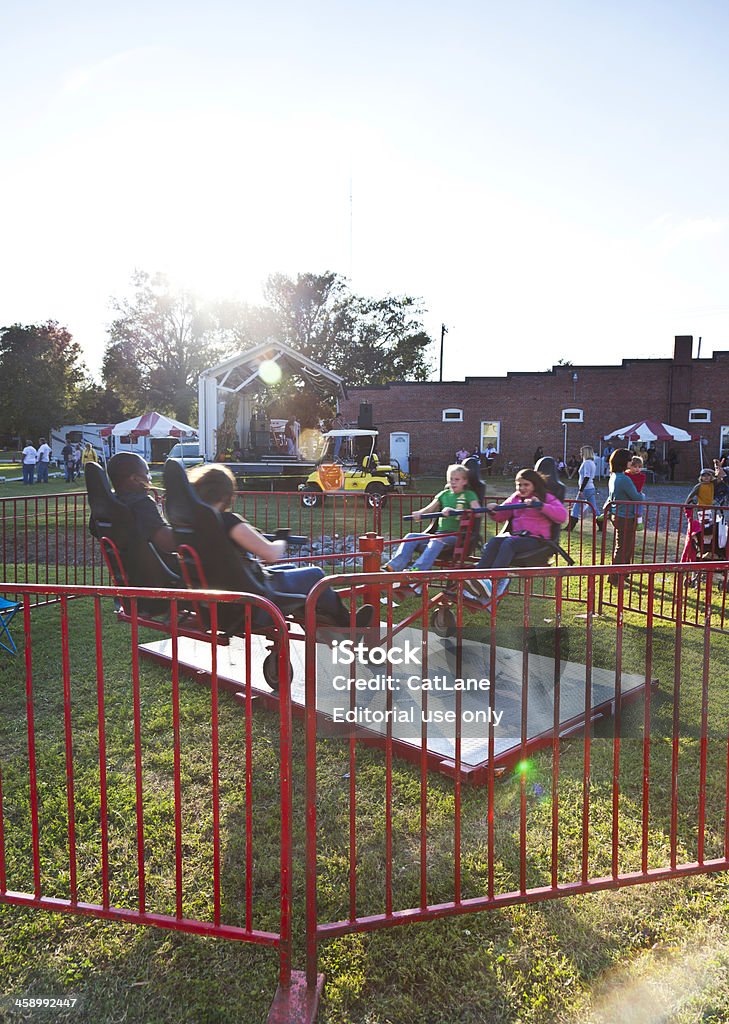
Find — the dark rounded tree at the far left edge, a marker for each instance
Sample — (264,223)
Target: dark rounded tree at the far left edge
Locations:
(41,374)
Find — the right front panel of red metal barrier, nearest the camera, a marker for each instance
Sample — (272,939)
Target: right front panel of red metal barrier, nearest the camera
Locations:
(584,817)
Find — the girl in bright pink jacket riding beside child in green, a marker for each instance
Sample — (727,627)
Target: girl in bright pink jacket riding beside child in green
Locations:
(531,526)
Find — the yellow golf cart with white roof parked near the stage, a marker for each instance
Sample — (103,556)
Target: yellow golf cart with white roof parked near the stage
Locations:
(350,465)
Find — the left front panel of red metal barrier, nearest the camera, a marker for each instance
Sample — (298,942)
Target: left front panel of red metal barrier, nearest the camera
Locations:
(110,831)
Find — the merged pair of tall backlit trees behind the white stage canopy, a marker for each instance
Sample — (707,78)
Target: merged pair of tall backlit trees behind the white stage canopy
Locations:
(164,338)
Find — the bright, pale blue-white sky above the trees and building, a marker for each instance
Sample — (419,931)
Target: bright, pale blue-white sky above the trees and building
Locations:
(549,178)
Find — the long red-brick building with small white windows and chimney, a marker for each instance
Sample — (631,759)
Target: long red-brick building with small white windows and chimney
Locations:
(523,411)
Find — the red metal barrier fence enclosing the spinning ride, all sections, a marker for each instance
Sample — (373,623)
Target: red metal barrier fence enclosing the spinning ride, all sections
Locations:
(644,795)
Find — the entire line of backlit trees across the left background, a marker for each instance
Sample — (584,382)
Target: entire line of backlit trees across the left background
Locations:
(163,337)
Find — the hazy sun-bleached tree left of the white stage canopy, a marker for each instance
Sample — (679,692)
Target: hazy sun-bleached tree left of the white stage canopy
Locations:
(159,345)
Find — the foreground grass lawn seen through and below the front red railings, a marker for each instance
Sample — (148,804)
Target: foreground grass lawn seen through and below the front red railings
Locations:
(645,954)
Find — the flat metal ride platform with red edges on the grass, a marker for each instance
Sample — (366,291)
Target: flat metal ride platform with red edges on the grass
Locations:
(413,705)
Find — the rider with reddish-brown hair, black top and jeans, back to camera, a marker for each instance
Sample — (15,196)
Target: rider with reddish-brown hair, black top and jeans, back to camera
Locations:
(216,486)
